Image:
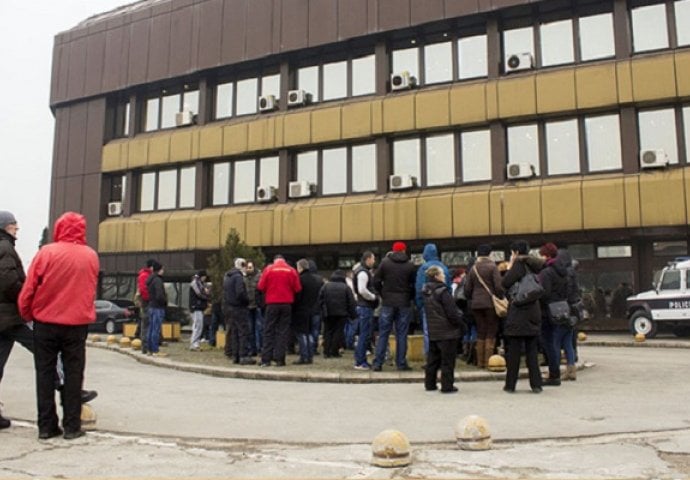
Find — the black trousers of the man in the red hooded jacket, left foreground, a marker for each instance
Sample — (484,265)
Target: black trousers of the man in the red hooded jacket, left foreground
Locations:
(49,341)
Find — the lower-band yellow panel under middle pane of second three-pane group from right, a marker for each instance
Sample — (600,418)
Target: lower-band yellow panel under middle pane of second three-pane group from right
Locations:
(561,207)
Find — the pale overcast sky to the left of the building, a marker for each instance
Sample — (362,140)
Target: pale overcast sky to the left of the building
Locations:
(26,123)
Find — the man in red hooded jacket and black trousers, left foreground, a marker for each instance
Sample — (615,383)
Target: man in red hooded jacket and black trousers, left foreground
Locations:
(58,295)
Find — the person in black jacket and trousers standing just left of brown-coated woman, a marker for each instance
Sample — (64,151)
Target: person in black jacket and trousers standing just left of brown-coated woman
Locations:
(445,325)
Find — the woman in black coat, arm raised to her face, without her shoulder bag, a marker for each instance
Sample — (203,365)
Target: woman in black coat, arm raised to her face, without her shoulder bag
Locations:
(523,323)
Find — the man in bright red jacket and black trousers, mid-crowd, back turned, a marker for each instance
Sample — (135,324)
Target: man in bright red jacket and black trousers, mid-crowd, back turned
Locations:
(279,283)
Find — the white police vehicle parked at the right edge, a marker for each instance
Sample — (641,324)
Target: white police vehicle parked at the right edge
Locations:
(667,306)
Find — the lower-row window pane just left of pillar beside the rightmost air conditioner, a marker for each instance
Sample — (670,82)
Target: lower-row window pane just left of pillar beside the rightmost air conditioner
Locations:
(603,142)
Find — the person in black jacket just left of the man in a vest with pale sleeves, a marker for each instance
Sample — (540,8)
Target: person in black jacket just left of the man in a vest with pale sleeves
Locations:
(337,304)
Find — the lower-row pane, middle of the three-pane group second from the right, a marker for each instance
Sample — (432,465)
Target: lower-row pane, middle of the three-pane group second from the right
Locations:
(562,147)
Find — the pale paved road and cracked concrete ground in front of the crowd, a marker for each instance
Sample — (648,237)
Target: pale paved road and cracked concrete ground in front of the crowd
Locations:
(626,417)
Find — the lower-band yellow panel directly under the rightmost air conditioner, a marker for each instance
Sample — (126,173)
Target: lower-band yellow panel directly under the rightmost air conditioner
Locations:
(662,198)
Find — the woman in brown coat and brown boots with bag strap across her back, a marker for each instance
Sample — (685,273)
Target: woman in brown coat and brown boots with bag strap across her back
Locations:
(482,285)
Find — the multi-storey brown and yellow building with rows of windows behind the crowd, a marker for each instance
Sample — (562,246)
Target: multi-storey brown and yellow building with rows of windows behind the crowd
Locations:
(326,127)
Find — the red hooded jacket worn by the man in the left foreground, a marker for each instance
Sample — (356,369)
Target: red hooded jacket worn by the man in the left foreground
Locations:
(60,287)
